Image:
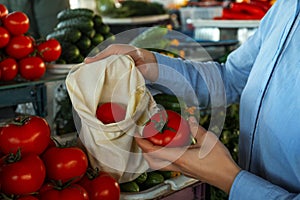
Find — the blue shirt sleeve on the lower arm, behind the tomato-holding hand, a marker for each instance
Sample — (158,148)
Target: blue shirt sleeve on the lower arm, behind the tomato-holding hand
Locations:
(248,186)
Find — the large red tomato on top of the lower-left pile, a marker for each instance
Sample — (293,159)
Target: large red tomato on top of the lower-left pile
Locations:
(30,134)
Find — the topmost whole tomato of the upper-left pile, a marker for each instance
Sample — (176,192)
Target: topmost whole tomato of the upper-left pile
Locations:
(17,22)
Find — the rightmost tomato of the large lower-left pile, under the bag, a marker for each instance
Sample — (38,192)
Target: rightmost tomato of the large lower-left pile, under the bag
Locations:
(101,186)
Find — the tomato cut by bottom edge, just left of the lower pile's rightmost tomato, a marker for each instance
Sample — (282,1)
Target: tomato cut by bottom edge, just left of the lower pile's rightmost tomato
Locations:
(72,192)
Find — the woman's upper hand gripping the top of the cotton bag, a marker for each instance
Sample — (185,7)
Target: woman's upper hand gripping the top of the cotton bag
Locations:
(144,59)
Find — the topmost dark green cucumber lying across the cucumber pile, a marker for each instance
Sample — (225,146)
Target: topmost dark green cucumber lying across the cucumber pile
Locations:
(74,13)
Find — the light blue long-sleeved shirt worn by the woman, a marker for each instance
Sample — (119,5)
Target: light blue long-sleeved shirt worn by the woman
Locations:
(263,76)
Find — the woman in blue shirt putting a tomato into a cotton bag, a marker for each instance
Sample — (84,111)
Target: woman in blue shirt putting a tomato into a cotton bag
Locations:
(262,75)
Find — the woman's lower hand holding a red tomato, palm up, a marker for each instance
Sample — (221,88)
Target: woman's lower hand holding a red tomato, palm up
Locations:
(208,160)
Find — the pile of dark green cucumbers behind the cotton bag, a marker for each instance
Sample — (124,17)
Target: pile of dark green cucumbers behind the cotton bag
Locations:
(79,31)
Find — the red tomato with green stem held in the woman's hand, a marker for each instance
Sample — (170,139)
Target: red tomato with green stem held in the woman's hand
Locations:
(167,128)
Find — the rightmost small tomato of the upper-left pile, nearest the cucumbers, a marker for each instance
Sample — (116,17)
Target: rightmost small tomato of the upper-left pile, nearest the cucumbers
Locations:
(49,50)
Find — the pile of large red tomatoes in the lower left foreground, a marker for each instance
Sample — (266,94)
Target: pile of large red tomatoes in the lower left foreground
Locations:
(34,166)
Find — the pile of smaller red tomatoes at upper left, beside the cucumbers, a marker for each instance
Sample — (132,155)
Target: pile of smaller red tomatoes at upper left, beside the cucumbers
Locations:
(20,53)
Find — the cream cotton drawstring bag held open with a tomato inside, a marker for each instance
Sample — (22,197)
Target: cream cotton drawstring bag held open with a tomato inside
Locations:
(111,147)
